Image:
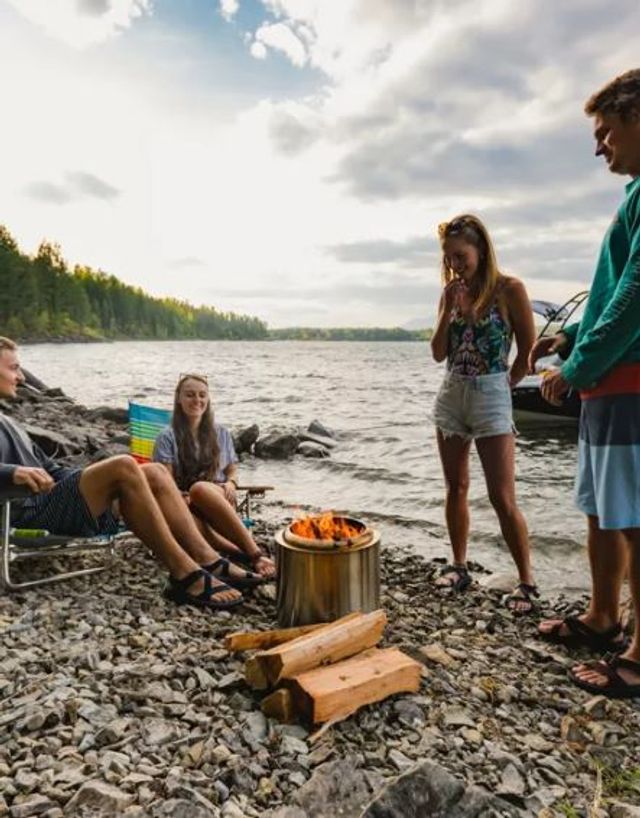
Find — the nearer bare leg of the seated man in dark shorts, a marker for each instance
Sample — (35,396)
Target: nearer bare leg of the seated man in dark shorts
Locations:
(120,478)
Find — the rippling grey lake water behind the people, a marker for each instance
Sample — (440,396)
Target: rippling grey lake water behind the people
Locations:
(378,399)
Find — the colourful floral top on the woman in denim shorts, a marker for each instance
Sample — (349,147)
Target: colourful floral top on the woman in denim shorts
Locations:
(481,348)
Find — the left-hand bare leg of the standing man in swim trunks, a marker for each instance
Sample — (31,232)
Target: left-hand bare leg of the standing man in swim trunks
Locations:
(608,559)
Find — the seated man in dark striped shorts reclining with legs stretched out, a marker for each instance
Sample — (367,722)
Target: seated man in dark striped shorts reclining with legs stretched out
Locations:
(80,502)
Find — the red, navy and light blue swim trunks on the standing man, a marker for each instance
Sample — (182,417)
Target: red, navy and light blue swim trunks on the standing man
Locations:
(608,478)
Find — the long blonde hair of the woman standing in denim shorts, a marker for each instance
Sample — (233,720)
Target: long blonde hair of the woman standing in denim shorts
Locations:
(471,230)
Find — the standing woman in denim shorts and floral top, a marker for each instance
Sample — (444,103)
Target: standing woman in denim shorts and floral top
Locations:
(480,311)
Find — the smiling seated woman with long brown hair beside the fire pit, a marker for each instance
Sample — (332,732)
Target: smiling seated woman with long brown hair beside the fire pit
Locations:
(201,457)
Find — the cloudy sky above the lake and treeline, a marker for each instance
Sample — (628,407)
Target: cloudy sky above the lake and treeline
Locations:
(291,158)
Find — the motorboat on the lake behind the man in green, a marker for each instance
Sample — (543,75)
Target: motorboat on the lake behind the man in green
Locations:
(528,403)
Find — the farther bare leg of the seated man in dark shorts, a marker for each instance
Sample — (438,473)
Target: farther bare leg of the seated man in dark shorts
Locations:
(180,519)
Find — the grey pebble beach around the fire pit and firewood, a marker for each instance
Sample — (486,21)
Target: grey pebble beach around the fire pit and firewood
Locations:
(114,701)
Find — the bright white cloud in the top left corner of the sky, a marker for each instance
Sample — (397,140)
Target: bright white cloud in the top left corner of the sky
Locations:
(82,23)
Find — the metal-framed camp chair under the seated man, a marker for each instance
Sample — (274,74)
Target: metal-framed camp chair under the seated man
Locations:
(22,544)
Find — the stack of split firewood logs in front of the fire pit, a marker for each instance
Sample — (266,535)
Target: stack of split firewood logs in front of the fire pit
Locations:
(322,673)
